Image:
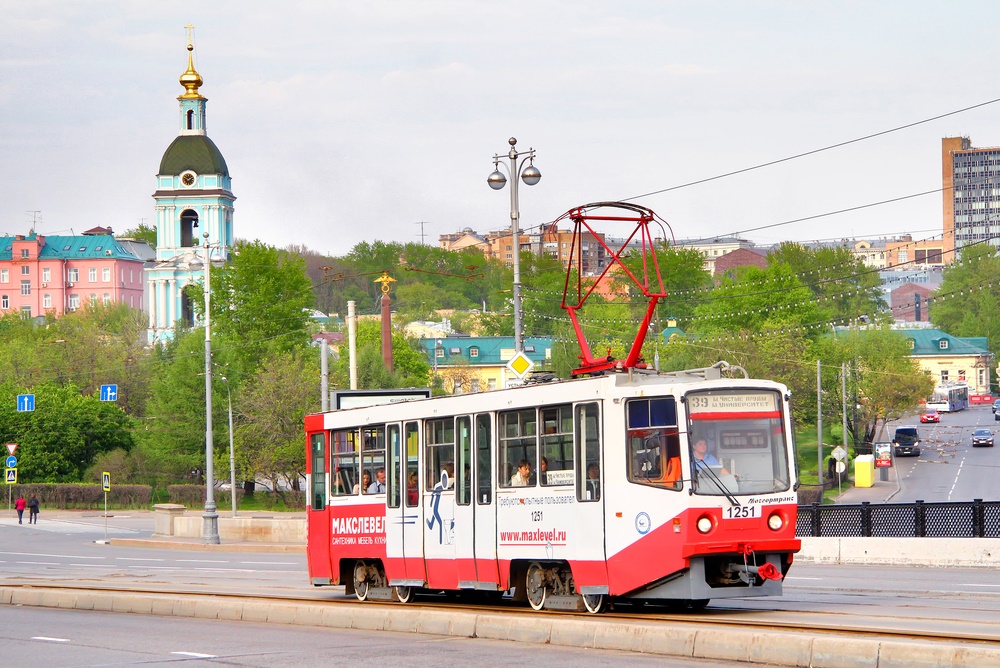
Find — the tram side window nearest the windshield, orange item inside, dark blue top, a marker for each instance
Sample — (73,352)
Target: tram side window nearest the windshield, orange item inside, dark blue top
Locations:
(653,443)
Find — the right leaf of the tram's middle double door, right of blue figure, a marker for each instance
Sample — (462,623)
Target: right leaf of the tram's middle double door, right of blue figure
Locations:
(485,541)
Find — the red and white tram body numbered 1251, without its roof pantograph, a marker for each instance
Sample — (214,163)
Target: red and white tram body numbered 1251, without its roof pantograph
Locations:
(618,499)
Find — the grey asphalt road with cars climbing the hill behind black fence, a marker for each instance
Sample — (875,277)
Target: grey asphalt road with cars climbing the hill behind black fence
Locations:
(949,468)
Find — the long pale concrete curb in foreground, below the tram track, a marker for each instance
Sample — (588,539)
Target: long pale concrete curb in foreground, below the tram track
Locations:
(690,640)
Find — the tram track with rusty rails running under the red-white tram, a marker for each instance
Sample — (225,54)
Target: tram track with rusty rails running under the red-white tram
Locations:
(714,619)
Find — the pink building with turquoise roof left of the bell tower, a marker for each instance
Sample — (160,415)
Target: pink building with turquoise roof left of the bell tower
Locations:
(40,275)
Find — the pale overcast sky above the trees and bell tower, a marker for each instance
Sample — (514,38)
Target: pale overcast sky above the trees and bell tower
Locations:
(344,122)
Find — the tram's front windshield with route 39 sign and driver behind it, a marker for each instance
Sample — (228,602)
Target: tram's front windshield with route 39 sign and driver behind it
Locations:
(736,442)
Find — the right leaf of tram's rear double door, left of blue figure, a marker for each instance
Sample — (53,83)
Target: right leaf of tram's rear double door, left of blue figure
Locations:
(411,517)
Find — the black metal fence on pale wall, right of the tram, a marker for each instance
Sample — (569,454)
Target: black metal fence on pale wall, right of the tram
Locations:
(968,519)
